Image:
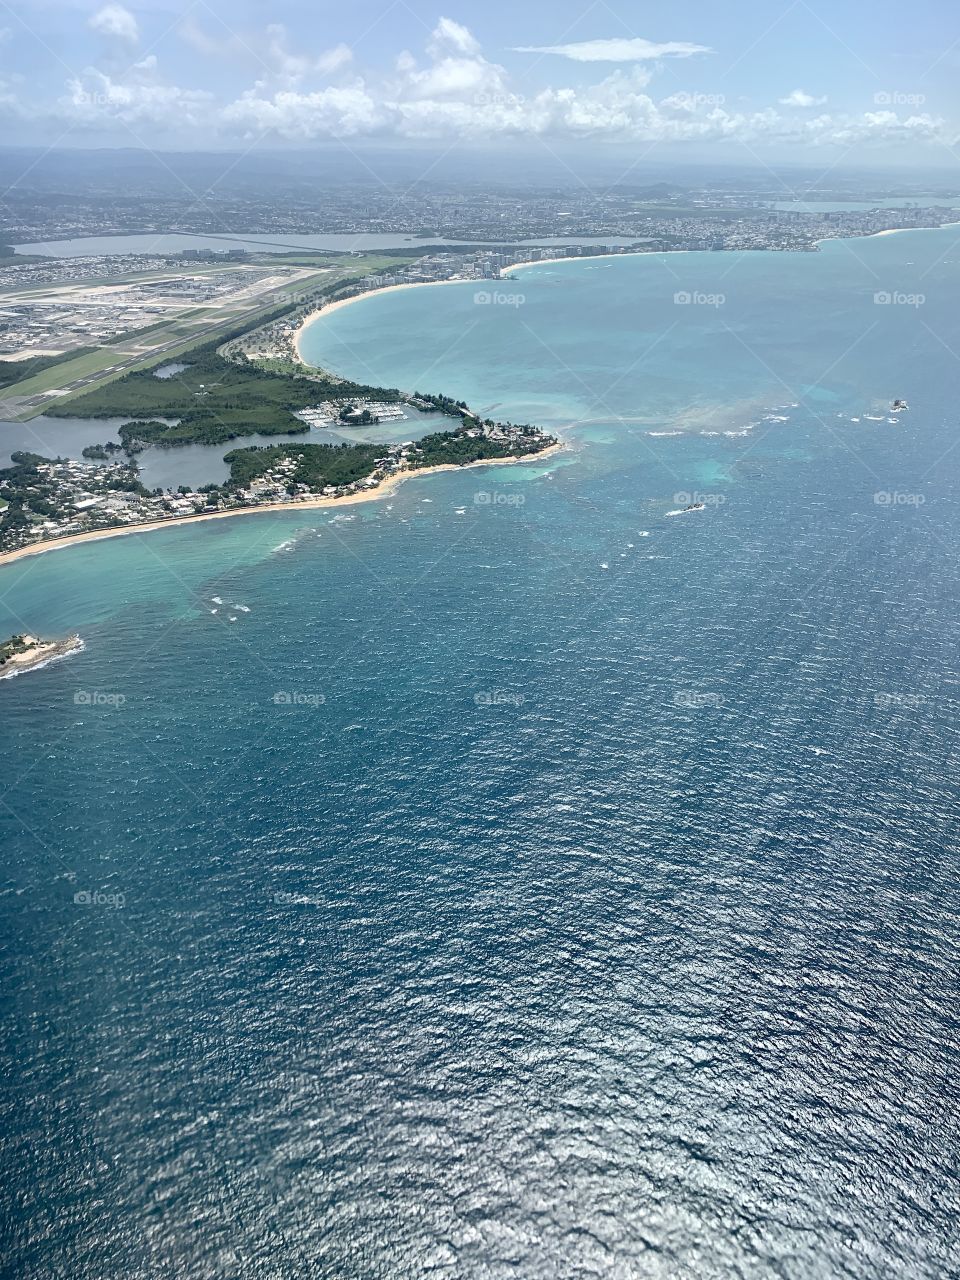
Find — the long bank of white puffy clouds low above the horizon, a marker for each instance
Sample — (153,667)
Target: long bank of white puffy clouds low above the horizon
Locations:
(458,94)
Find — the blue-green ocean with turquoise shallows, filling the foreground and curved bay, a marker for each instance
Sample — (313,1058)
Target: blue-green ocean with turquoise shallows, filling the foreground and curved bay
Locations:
(531,883)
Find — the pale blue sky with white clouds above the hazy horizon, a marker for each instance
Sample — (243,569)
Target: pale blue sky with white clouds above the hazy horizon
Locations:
(771,80)
